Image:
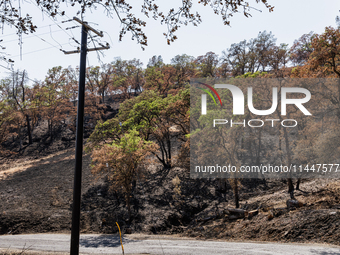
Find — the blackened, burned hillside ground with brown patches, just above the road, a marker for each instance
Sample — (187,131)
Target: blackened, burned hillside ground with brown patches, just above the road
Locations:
(36,197)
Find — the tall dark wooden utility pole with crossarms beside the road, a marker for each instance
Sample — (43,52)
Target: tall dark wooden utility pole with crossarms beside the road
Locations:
(74,250)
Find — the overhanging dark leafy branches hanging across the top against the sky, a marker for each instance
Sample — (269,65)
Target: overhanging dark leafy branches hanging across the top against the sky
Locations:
(13,13)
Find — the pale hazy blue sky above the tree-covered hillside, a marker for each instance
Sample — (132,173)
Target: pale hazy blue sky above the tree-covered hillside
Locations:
(289,20)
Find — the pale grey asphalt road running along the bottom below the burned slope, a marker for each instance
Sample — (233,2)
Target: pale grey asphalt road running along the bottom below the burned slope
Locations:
(139,244)
